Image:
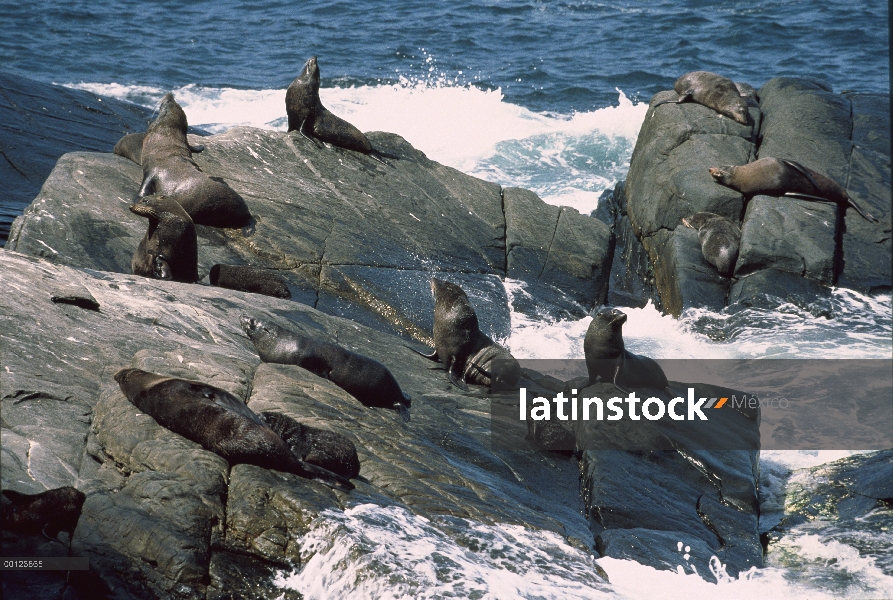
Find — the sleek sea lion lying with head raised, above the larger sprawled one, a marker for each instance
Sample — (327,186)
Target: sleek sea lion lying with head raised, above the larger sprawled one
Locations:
(364,378)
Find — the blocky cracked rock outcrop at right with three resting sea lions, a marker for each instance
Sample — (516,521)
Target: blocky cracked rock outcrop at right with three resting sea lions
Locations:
(792,250)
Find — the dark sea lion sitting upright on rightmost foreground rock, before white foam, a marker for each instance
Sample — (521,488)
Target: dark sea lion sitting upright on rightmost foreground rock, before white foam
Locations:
(608,360)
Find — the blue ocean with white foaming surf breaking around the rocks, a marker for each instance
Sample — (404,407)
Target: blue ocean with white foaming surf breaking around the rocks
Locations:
(544,95)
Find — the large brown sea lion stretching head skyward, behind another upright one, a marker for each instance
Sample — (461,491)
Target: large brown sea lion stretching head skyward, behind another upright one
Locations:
(168,169)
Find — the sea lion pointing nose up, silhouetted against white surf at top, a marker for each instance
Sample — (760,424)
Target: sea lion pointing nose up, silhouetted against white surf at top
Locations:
(309,117)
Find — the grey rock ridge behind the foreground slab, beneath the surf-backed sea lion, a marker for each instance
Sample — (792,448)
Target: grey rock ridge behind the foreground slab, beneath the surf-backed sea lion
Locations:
(351,236)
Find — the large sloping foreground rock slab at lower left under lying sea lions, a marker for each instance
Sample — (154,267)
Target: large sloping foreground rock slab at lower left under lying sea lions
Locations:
(165,518)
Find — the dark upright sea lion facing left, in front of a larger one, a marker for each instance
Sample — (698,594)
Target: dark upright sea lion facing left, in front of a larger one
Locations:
(169,250)
